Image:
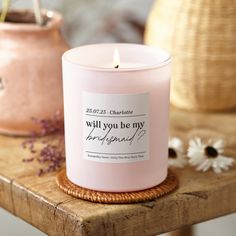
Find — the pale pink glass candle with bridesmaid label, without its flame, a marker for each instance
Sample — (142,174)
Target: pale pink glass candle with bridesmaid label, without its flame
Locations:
(116,119)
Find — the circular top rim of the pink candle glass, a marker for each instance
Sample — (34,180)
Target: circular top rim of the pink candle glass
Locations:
(150,66)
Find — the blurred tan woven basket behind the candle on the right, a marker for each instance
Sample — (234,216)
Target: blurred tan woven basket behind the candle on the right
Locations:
(201,35)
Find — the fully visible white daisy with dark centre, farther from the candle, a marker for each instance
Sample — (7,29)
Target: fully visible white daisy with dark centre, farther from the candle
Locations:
(208,155)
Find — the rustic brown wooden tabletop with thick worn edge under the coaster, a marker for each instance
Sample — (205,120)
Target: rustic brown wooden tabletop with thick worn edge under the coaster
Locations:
(200,197)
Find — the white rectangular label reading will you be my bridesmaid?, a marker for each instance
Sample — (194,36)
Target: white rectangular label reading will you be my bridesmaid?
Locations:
(115,127)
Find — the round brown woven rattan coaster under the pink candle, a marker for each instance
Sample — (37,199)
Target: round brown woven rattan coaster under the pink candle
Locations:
(167,186)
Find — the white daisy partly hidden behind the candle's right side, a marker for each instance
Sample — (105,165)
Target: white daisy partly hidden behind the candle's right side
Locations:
(176,153)
